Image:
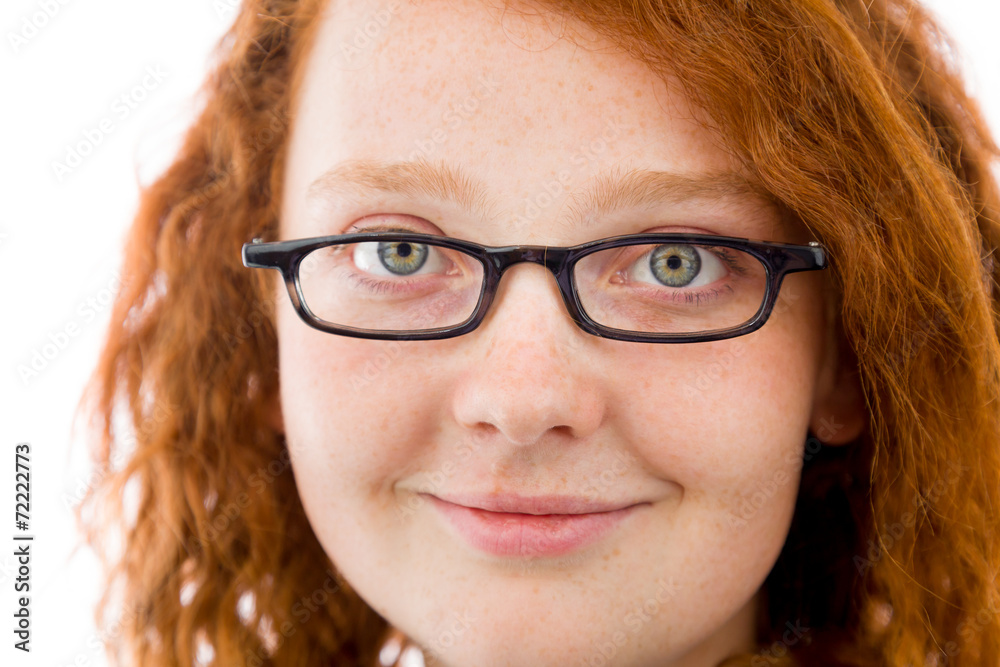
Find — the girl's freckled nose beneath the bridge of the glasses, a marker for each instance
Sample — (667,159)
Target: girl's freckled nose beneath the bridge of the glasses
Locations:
(531,372)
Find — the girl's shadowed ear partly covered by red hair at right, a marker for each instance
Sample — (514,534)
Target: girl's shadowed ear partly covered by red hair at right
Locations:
(840,412)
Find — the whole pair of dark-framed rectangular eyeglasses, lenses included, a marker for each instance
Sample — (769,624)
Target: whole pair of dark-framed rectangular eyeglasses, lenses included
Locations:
(649,288)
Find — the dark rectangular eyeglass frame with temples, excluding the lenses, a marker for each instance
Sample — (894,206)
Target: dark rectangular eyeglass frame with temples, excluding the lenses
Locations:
(778,259)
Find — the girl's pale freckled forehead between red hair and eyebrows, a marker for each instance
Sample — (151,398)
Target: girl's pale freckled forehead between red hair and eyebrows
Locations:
(520,102)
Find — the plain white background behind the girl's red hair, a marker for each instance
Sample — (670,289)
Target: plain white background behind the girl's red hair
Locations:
(61,237)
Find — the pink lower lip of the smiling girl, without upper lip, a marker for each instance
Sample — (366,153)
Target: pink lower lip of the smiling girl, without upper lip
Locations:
(529,535)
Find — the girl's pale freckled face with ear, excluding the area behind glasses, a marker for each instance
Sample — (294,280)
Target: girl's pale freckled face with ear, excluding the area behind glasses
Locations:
(526,136)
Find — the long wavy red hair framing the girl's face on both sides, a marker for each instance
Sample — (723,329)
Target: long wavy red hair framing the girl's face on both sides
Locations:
(852,114)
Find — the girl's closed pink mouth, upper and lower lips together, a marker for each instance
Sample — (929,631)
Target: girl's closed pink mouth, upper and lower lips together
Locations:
(530,527)
